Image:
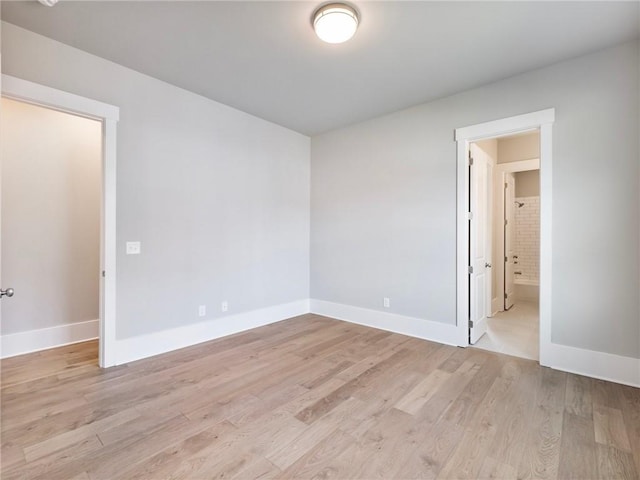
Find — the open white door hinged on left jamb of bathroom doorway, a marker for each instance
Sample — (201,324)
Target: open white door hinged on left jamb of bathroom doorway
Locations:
(479,243)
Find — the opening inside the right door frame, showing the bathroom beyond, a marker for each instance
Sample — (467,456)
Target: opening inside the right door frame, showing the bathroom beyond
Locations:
(511,232)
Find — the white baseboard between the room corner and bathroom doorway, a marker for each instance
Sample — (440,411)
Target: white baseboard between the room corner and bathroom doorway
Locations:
(413,327)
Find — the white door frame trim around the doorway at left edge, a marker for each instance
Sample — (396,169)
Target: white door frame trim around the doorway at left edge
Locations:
(108,115)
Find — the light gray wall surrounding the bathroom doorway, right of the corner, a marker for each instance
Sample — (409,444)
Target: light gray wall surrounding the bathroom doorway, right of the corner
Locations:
(383,196)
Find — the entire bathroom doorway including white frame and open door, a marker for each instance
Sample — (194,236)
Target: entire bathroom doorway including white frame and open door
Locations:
(485,292)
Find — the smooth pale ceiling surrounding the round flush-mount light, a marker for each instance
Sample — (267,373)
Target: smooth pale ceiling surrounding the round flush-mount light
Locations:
(263,57)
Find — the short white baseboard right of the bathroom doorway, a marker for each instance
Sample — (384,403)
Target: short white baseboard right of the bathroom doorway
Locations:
(605,366)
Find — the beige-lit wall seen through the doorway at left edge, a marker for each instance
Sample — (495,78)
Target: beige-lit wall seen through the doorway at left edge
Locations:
(51,165)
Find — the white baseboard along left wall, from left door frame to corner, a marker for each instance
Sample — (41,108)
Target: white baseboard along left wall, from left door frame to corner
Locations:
(143,346)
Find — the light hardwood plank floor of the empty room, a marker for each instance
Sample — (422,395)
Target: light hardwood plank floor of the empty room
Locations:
(312,397)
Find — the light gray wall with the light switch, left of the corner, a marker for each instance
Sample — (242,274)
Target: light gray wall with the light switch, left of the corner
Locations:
(218,198)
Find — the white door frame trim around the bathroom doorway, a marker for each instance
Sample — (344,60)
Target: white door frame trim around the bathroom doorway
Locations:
(542,120)
